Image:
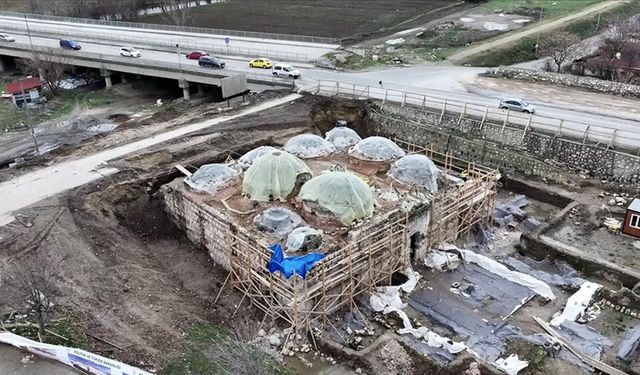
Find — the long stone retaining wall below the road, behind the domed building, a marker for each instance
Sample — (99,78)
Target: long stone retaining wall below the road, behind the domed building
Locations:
(508,147)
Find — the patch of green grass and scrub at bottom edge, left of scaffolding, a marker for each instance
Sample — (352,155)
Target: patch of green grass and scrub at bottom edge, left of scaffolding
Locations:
(213,351)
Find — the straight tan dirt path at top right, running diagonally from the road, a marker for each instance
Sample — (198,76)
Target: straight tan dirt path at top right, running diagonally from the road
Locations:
(545,26)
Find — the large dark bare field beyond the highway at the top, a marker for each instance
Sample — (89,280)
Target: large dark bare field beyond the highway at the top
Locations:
(328,18)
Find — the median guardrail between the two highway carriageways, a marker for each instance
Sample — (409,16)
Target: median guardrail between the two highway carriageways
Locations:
(164,44)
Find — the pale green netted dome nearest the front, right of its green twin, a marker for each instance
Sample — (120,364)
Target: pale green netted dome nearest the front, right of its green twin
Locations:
(343,194)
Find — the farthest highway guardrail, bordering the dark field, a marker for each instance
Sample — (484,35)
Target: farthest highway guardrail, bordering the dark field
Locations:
(184,29)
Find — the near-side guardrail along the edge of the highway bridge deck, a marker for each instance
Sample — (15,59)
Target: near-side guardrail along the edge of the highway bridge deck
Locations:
(152,64)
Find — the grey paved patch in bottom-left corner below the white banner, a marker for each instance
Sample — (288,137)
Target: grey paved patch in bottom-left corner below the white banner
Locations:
(10,364)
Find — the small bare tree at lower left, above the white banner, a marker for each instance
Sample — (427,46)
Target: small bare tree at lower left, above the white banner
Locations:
(31,283)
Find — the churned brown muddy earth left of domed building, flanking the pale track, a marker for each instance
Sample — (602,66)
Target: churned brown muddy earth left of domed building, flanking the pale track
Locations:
(125,272)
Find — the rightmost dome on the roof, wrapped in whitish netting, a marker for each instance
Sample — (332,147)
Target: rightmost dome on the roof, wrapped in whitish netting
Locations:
(416,170)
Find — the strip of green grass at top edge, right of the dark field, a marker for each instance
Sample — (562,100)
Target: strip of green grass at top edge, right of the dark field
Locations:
(550,8)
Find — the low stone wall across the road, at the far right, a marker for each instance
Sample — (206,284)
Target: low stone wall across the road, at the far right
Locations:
(588,83)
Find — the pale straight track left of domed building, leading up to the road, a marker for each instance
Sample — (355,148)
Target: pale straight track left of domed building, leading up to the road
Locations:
(46,182)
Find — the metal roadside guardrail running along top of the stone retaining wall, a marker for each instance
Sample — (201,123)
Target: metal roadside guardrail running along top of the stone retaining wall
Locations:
(581,132)
